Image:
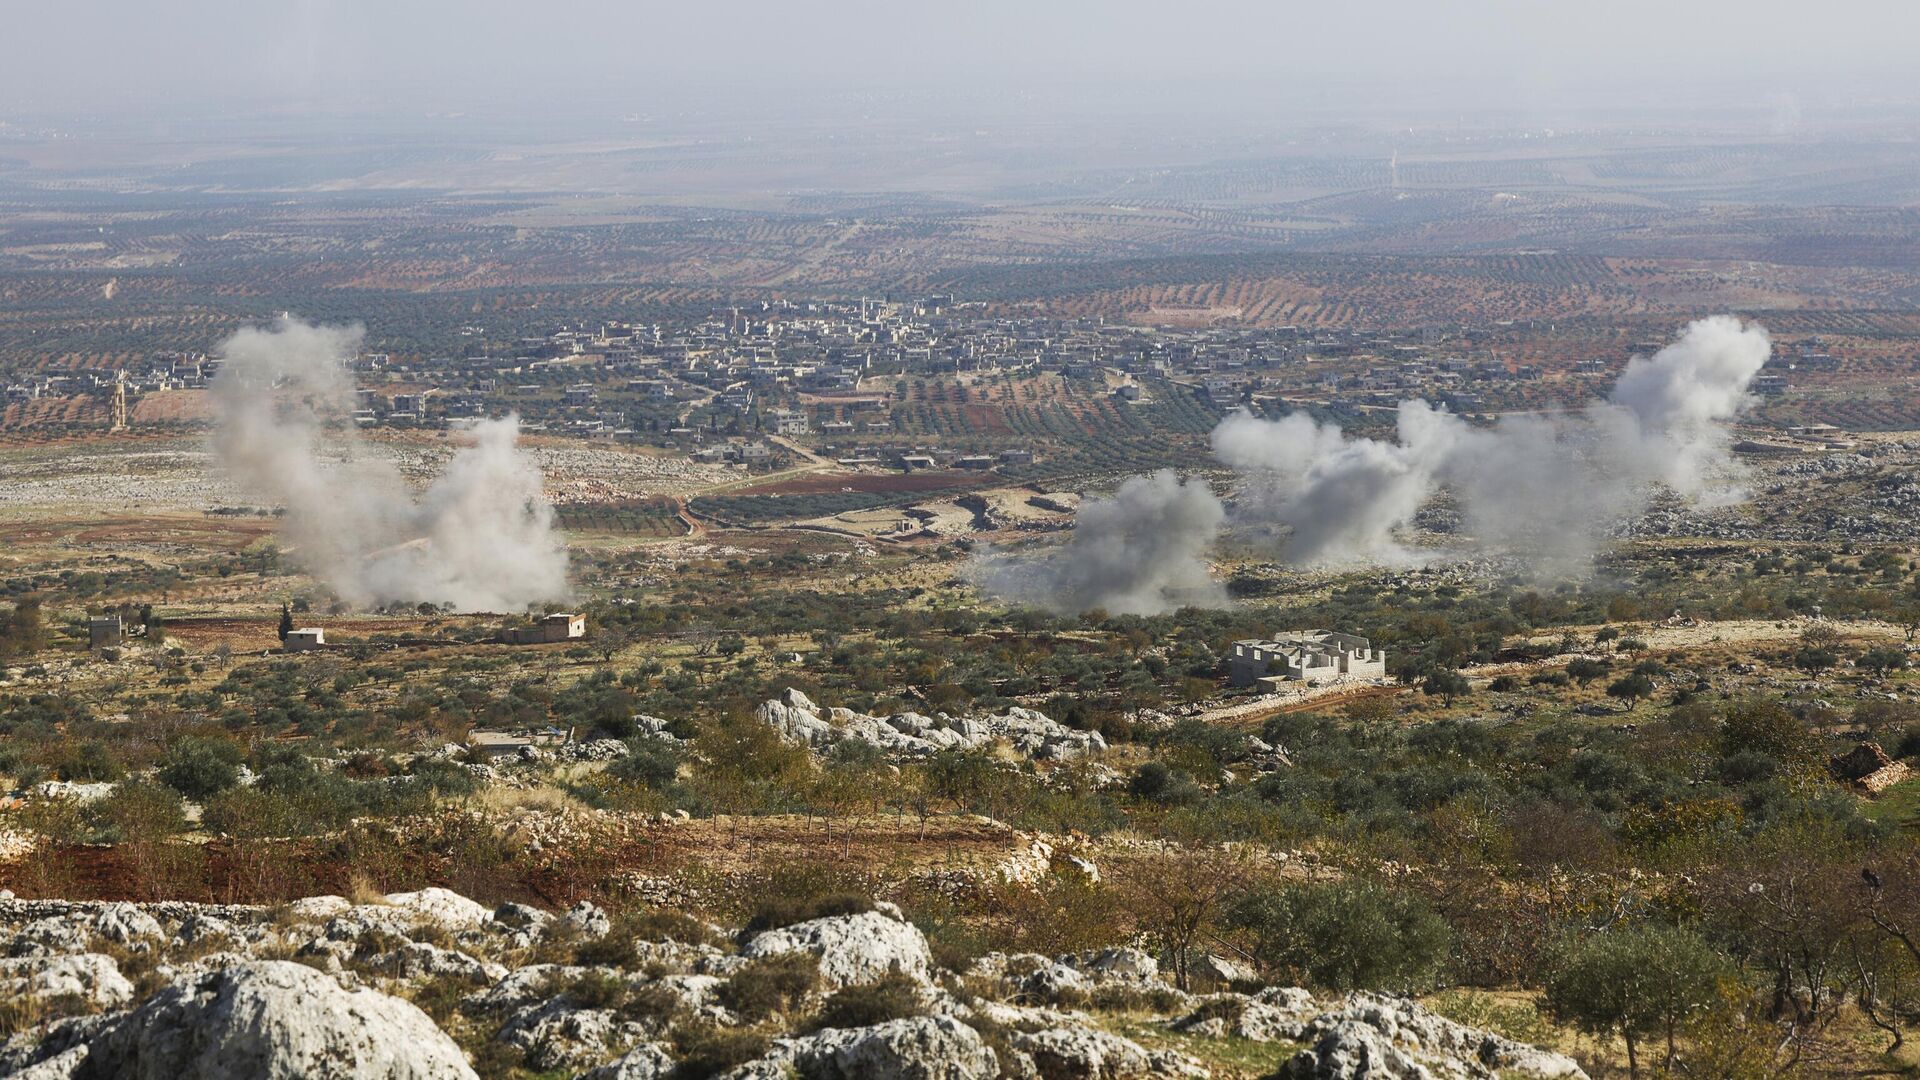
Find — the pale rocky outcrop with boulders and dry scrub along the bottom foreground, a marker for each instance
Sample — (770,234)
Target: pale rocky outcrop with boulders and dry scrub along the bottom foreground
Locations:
(431,985)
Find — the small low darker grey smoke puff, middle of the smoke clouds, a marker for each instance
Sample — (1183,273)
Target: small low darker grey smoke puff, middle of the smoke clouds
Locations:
(1140,552)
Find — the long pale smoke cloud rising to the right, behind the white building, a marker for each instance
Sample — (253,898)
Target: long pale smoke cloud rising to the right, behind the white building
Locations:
(1543,487)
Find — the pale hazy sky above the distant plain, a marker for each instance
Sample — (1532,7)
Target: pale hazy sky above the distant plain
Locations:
(492,57)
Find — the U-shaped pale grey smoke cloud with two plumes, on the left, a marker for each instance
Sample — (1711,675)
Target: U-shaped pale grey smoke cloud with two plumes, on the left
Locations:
(479,539)
